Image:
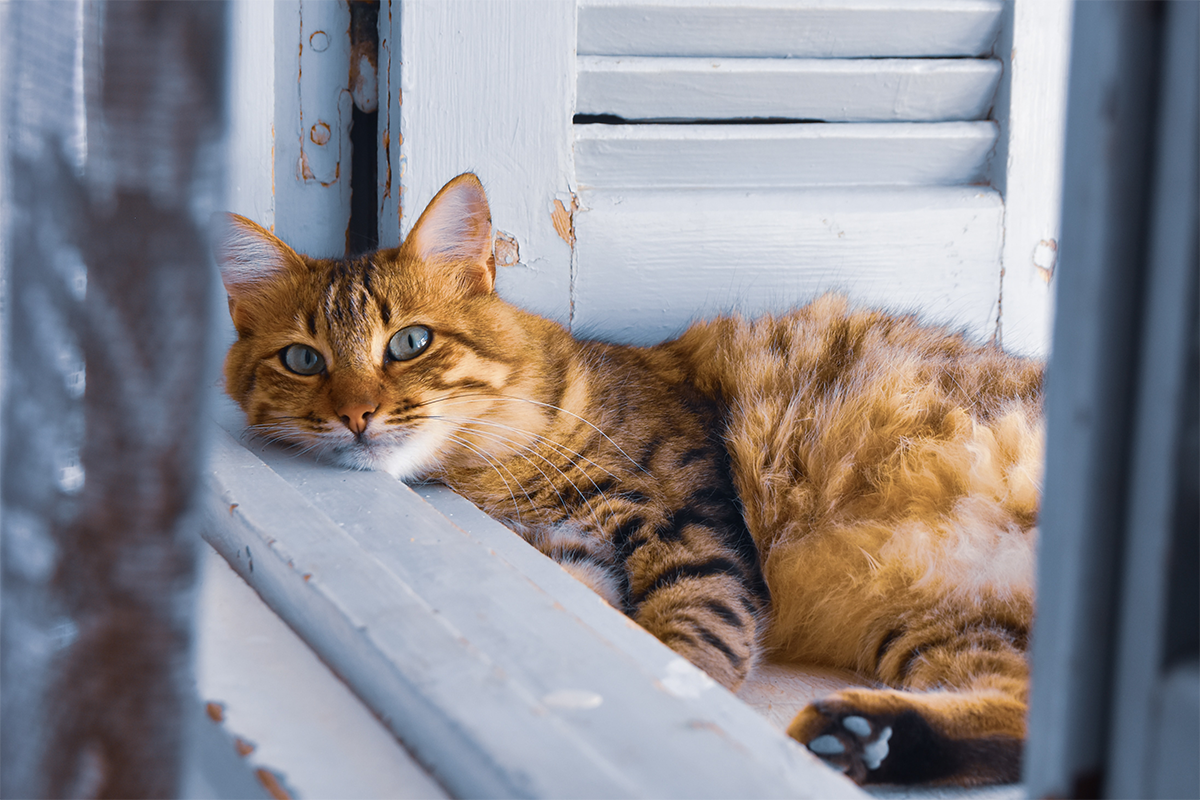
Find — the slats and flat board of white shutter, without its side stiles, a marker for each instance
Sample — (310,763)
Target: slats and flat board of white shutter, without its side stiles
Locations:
(868,178)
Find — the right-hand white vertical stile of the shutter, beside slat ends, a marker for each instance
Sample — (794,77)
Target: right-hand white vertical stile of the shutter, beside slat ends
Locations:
(1033,112)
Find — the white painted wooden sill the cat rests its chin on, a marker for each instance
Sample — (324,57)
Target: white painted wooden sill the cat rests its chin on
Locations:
(500,672)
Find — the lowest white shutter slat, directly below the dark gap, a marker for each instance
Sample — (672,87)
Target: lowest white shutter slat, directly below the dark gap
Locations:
(609,157)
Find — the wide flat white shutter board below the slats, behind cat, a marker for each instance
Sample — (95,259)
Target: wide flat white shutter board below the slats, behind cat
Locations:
(651,262)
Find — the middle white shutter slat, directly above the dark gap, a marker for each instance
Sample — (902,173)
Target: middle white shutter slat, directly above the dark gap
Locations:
(833,91)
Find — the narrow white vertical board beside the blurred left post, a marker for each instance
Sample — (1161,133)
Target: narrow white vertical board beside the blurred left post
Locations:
(251,139)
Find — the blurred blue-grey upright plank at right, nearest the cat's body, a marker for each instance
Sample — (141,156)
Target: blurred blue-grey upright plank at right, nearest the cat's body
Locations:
(1090,394)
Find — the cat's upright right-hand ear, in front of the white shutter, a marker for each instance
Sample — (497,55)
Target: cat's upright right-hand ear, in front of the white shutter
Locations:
(455,234)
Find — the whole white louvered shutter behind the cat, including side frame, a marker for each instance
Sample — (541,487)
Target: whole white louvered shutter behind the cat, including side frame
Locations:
(656,161)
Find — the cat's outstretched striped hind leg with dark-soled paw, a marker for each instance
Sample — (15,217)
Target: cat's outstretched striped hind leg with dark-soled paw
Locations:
(961,721)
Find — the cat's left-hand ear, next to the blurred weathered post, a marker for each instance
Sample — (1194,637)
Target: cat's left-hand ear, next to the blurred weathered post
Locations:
(250,260)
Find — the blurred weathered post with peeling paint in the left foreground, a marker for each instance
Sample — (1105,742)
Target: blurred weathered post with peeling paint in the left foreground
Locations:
(113,166)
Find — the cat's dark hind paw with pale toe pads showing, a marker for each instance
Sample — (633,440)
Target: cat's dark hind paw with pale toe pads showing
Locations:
(843,738)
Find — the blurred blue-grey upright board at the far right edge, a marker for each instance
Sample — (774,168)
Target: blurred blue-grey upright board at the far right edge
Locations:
(1160,429)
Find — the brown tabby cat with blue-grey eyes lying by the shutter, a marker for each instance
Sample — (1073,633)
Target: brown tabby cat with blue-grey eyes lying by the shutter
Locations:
(831,486)
